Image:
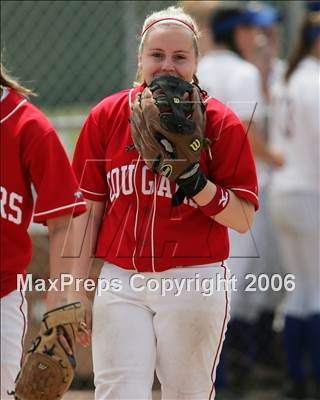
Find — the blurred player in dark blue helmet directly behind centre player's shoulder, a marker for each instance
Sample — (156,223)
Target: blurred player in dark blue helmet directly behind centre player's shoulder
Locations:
(228,74)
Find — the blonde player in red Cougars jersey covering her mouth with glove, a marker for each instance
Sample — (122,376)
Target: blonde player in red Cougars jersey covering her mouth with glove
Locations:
(139,326)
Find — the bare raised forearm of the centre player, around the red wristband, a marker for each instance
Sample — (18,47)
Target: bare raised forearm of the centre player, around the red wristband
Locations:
(238,214)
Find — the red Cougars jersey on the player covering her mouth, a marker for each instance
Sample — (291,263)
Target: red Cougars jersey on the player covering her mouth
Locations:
(141,230)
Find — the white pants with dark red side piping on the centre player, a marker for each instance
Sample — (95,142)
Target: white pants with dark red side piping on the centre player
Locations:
(138,332)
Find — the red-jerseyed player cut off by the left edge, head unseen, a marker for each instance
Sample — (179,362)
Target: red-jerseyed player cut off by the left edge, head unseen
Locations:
(31,154)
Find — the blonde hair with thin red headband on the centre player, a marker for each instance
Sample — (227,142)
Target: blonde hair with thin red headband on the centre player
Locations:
(171,16)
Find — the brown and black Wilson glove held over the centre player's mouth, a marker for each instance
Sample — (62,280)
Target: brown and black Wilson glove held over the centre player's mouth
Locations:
(167,125)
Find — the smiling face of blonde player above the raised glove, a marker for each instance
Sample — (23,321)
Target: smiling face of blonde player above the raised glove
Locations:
(168,51)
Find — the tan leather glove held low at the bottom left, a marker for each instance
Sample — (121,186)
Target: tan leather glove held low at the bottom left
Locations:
(48,367)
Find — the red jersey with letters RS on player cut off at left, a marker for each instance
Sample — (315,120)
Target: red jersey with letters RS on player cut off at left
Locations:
(31,153)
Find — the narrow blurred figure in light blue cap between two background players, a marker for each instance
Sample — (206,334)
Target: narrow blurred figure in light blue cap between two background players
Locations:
(272,70)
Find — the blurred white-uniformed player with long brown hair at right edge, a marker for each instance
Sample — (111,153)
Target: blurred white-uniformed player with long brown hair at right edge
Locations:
(295,204)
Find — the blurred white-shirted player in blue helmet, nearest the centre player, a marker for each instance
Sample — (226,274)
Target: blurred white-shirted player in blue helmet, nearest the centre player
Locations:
(227,76)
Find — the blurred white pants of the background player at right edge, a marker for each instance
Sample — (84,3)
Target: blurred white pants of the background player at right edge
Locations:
(297,219)
